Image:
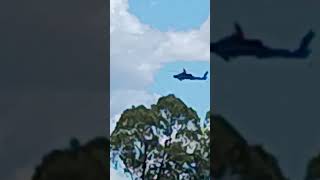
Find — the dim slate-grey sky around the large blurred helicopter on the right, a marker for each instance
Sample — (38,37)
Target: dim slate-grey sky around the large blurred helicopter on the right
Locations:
(274,103)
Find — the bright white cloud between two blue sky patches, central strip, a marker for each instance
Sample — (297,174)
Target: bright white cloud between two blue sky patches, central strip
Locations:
(137,51)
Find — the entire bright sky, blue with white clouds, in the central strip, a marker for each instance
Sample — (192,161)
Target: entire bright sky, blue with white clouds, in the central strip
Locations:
(148,46)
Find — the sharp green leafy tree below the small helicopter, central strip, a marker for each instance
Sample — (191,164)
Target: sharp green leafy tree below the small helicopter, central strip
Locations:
(164,142)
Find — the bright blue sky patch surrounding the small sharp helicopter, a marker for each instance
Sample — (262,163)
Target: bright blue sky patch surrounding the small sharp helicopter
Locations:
(194,93)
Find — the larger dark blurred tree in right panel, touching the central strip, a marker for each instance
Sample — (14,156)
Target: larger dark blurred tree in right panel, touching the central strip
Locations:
(235,159)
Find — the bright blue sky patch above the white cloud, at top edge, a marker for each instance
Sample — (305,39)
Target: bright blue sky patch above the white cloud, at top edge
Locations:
(171,14)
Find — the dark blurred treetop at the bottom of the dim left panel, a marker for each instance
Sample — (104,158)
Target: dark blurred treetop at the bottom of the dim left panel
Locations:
(86,162)
